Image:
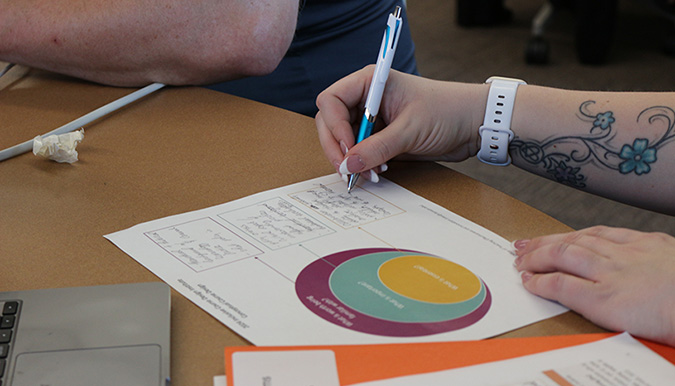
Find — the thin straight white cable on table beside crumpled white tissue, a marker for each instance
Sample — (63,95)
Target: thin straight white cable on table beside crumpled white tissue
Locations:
(83,120)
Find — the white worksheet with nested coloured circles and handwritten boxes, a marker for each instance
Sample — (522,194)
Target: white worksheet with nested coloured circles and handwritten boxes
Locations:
(242,261)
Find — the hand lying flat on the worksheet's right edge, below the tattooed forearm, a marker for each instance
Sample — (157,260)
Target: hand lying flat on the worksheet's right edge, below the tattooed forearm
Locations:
(620,279)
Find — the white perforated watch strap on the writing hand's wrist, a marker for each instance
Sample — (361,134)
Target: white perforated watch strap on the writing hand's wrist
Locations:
(496,131)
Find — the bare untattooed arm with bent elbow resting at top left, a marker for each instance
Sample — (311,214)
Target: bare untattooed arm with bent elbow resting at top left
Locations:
(132,43)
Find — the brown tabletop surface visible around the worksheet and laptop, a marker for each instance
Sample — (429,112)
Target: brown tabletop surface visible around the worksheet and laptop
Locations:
(178,150)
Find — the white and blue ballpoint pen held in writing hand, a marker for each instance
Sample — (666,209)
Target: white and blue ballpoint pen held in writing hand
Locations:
(382,67)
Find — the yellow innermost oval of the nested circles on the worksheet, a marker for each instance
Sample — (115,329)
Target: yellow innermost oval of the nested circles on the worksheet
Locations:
(429,279)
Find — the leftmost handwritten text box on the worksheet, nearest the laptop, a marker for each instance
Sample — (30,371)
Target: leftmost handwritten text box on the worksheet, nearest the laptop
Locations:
(202,244)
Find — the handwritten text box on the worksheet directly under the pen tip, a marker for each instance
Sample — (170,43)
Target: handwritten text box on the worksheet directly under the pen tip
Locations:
(348,210)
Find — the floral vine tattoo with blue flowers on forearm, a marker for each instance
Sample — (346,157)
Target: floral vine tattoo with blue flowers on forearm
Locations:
(564,157)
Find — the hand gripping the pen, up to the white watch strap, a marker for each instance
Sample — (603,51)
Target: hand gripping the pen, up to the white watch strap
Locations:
(422,119)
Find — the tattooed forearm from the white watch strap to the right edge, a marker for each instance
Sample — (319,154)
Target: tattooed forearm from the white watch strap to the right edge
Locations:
(617,145)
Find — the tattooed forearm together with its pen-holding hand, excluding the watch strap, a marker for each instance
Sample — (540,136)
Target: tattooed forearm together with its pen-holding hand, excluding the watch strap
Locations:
(620,145)
